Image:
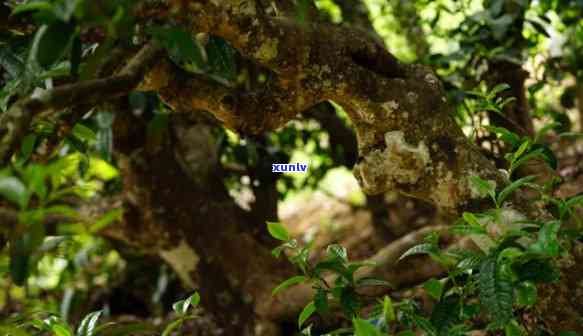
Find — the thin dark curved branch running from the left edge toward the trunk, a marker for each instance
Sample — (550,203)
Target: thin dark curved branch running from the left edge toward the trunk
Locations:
(15,122)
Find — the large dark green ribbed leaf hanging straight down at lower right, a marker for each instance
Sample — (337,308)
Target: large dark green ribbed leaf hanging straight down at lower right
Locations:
(495,291)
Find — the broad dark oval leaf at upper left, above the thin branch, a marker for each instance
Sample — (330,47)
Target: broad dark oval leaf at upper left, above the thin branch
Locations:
(51,42)
